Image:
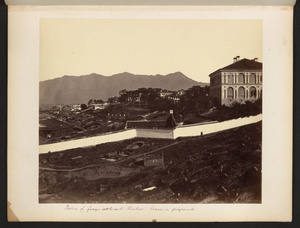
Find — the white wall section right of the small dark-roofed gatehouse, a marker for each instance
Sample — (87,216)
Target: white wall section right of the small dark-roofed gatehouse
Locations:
(185,131)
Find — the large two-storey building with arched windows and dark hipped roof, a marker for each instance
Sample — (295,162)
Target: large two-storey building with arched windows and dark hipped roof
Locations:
(237,82)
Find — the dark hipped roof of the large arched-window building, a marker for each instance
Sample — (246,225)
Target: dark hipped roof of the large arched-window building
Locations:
(243,64)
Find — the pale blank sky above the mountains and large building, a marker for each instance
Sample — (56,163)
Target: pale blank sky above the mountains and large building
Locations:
(145,46)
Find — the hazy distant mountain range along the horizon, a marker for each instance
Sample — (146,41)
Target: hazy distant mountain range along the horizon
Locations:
(80,89)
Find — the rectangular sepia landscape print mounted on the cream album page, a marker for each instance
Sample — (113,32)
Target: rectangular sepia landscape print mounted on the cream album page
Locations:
(150,111)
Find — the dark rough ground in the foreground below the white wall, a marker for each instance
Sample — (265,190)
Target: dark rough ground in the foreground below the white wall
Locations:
(224,167)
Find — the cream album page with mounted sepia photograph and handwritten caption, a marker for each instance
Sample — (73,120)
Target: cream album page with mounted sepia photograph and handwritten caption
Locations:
(150,113)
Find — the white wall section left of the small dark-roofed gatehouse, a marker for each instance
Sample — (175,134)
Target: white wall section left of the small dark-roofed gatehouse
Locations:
(91,141)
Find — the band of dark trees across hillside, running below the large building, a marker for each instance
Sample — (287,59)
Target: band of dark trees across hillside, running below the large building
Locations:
(196,100)
